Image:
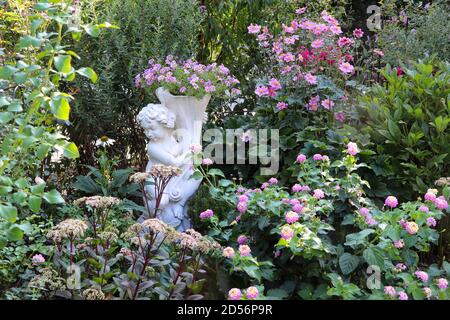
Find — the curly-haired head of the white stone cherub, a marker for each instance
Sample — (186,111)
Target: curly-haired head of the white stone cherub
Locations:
(156,120)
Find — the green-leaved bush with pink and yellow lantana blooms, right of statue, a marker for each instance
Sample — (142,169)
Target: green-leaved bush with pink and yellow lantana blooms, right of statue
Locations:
(297,242)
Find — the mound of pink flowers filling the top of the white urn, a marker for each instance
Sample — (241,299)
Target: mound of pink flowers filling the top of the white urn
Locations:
(188,77)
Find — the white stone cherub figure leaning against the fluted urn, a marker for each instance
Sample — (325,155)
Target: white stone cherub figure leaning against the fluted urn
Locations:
(164,148)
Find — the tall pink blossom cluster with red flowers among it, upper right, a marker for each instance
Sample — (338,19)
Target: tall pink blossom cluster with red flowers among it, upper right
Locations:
(303,51)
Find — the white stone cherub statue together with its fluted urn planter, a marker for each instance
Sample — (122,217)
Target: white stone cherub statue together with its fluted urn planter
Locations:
(172,127)
